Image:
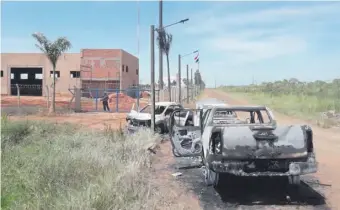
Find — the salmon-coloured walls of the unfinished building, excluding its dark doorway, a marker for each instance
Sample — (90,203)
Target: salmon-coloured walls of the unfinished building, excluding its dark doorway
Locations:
(106,64)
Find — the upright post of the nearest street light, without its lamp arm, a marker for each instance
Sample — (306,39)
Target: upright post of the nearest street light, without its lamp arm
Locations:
(152,50)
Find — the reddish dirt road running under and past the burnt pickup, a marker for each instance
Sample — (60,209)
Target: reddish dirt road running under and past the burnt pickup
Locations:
(254,193)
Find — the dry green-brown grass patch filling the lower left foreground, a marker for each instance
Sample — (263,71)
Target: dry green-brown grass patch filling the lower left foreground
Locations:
(53,166)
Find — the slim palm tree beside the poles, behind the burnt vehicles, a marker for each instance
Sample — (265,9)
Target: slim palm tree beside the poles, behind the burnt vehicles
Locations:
(165,41)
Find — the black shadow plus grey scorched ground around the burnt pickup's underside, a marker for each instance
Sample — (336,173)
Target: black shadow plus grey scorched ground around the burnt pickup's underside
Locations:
(248,191)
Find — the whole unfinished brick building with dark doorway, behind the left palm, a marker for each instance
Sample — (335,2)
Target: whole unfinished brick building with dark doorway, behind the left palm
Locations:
(91,68)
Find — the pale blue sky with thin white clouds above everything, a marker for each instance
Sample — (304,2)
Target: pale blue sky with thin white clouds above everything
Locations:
(238,42)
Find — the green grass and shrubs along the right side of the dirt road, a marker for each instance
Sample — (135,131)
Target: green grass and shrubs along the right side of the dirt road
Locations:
(293,97)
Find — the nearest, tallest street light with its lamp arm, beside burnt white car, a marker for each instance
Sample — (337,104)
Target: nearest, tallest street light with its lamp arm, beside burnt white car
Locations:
(152,55)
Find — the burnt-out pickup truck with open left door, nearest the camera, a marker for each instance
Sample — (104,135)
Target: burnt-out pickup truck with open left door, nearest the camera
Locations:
(244,141)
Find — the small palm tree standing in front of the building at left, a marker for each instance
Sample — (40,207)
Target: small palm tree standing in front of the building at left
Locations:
(53,51)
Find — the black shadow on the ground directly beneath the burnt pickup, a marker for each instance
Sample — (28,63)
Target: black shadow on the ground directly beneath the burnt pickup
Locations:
(266,191)
